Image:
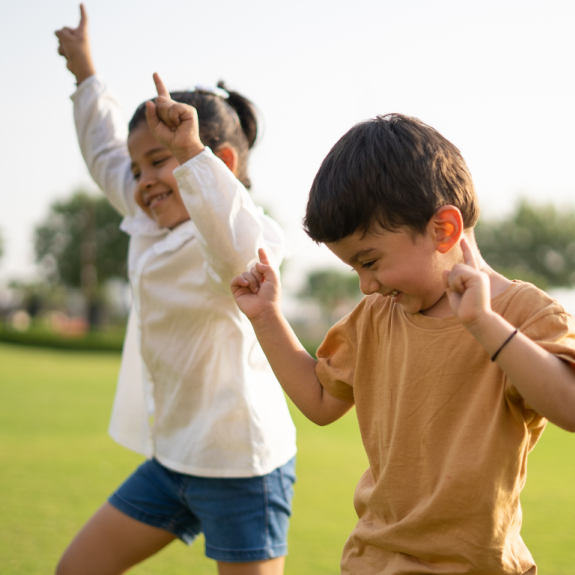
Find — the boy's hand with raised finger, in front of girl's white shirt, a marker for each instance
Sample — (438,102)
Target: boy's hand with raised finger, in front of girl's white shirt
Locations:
(258,291)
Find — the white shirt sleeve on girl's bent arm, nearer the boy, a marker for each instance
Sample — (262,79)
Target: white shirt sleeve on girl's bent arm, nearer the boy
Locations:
(231,228)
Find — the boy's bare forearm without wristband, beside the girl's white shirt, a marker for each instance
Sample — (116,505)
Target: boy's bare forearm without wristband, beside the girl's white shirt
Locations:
(295,370)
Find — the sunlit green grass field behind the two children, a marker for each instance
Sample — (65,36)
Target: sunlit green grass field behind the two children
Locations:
(58,465)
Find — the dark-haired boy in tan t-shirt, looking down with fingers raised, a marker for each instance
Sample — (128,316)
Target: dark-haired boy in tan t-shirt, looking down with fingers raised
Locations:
(450,397)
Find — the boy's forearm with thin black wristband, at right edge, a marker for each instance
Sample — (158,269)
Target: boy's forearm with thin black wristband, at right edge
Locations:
(546,383)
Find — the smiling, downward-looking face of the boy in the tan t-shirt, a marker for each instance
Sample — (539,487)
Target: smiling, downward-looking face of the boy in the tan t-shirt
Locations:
(406,267)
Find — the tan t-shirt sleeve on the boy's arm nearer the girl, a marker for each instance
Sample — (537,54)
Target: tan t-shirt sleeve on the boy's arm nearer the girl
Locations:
(337,357)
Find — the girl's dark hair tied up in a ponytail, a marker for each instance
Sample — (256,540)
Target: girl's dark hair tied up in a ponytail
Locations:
(231,121)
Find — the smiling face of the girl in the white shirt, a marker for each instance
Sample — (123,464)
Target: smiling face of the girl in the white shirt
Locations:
(157,191)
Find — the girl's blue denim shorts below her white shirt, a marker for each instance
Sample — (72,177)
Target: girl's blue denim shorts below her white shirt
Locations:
(242,519)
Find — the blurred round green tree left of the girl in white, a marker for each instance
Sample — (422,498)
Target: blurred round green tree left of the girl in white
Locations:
(80,245)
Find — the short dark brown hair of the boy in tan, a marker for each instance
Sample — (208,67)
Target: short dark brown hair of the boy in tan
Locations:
(391,170)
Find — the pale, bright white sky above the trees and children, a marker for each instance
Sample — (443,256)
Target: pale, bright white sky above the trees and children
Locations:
(493,76)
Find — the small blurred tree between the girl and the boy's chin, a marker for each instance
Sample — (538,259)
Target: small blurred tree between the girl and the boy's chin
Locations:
(330,290)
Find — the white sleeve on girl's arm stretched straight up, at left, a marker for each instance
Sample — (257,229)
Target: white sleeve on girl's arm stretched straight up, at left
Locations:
(102,134)
